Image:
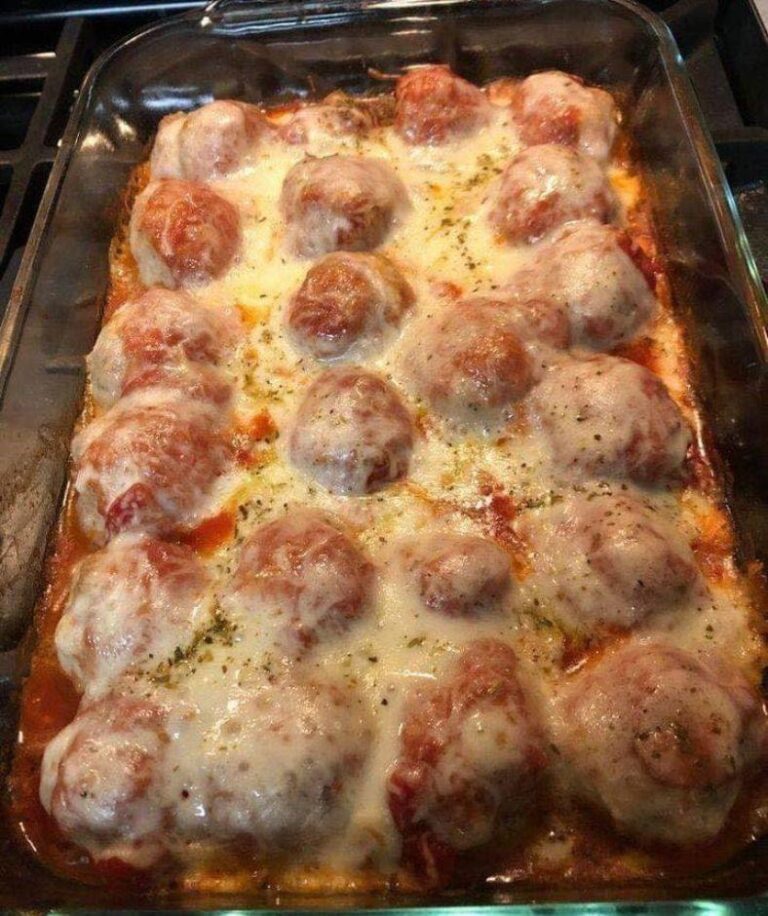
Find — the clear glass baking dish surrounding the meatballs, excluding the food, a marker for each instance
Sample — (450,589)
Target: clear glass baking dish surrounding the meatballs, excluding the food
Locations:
(272,52)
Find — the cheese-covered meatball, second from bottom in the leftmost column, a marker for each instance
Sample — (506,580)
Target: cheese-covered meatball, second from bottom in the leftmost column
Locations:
(133,601)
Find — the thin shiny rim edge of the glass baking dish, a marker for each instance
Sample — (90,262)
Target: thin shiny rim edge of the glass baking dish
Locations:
(249,17)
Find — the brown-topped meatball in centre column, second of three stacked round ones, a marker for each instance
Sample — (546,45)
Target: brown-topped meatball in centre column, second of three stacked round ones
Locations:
(347,299)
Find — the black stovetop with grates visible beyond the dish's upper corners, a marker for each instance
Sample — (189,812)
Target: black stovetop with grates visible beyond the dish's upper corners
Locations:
(47,48)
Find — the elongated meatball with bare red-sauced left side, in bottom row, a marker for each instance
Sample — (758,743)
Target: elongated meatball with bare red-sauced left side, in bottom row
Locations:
(471,757)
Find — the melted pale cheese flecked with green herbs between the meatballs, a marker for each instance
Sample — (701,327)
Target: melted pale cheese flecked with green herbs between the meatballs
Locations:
(445,247)
